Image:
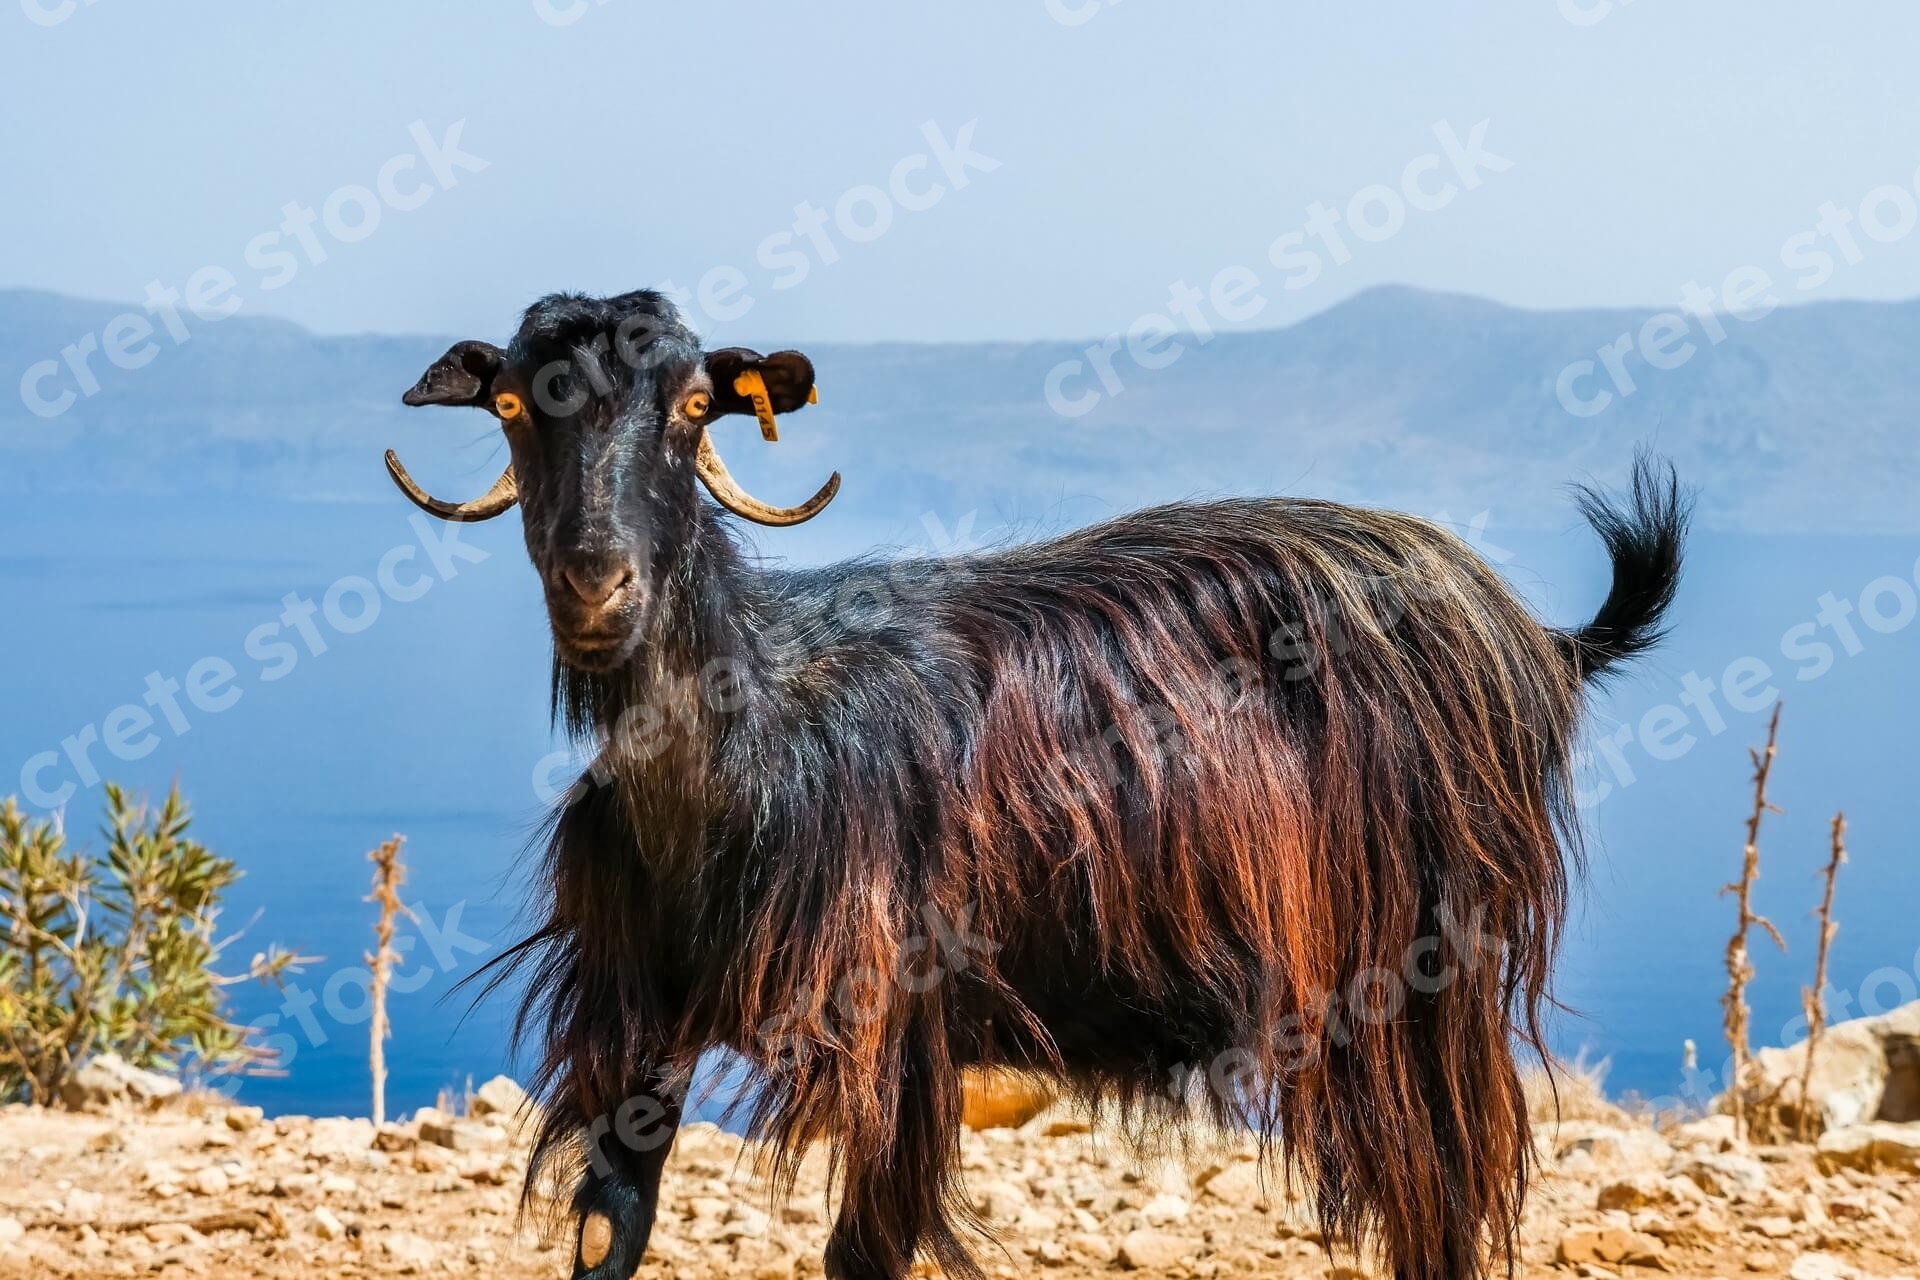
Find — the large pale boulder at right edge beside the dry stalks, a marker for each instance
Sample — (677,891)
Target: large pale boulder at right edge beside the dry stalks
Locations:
(1867,1070)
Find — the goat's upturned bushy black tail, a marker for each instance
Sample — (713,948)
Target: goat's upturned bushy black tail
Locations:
(1644,533)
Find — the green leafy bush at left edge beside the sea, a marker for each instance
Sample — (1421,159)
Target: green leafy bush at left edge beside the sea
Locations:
(118,953)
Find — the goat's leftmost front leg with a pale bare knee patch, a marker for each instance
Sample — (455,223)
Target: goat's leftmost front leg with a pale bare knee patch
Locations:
(621,1193)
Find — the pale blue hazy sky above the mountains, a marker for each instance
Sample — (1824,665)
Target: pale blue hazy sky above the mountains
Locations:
(1138,143)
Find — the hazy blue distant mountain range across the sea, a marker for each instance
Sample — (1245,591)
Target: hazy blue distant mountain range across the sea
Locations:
(1808,419)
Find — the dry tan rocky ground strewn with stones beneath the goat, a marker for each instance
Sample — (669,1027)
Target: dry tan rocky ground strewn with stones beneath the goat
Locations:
(195,1189)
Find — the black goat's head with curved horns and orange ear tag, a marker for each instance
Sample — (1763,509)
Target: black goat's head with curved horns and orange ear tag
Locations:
(608,408)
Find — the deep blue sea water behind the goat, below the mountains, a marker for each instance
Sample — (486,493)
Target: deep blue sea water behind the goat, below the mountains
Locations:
(431,721)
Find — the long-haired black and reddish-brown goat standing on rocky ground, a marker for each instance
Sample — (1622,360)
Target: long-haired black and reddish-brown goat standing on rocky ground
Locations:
(1270,786)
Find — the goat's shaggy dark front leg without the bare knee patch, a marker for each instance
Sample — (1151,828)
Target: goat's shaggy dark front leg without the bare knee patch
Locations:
(896,1200)
